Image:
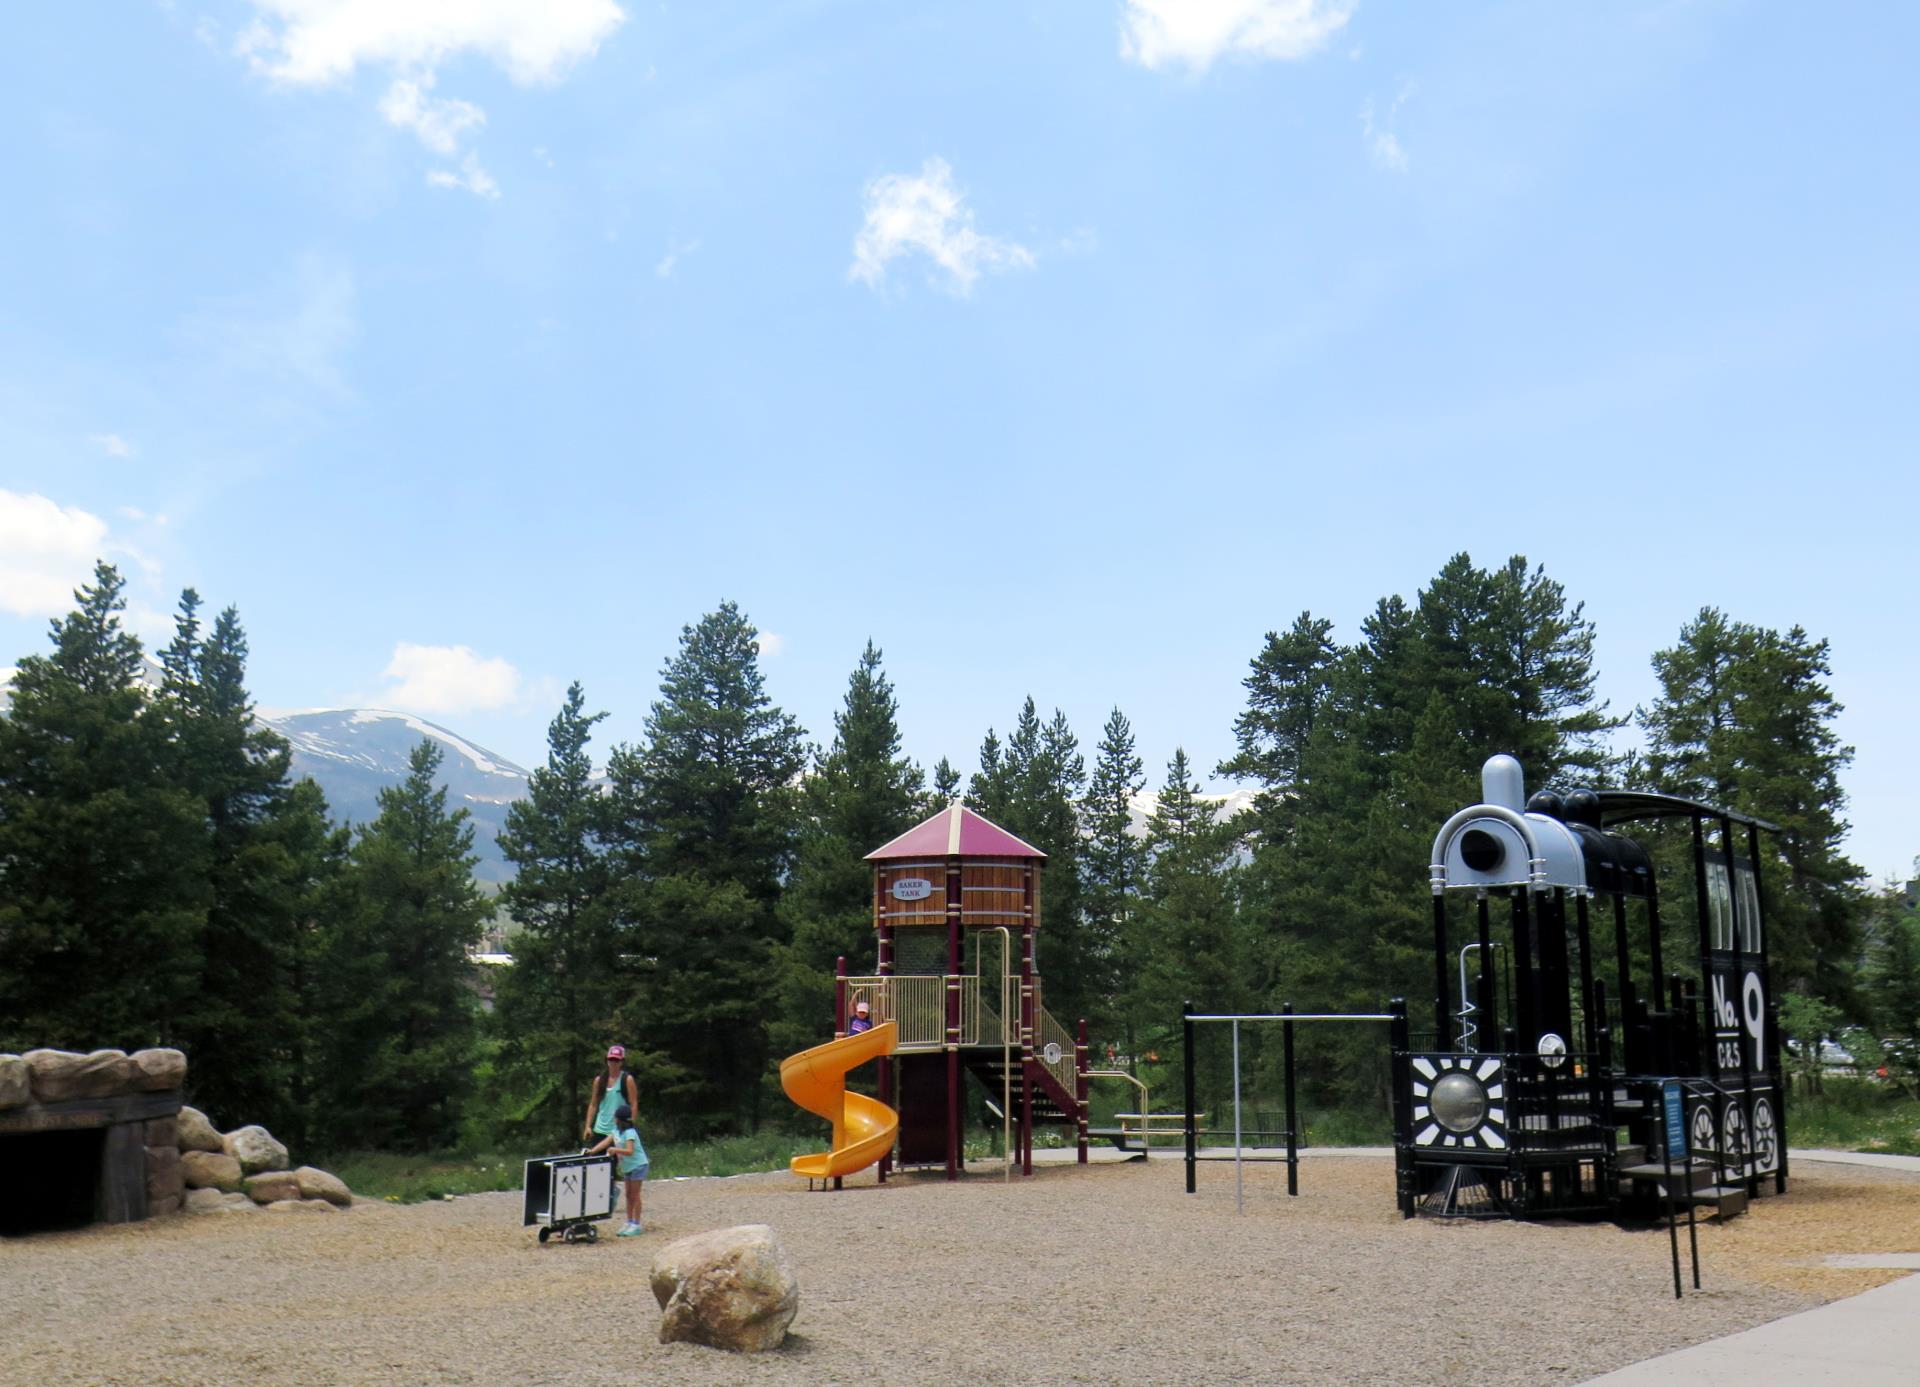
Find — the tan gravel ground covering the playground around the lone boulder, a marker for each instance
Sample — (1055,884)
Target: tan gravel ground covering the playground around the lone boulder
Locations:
(1105,1275)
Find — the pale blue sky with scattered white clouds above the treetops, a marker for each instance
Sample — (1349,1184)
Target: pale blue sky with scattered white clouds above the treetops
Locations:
(1061,349)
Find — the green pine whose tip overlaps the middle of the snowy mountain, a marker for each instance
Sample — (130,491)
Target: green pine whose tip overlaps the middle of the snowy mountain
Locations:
(406,1023)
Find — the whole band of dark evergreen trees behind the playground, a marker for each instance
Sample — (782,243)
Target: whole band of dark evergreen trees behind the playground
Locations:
(164,881)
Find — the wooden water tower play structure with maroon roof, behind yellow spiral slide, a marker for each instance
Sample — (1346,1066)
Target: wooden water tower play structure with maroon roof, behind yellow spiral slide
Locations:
(957,908)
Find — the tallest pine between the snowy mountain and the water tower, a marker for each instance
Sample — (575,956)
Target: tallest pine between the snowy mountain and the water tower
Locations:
(704,817)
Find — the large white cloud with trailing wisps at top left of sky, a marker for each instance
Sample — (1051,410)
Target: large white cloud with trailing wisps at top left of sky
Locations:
(320,43)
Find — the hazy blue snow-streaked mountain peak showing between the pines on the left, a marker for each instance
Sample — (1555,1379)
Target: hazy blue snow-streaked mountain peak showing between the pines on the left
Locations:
(354,754)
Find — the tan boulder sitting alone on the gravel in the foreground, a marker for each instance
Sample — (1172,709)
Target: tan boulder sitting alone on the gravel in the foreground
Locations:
(729,1290)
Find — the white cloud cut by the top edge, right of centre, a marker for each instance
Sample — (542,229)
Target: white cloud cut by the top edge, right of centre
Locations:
(1195,34)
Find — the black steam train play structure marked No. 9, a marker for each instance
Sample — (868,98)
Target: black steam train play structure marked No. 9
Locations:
(1543,1092)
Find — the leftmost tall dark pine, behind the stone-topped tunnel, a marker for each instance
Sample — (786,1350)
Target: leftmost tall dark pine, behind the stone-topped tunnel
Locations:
(103,854)
